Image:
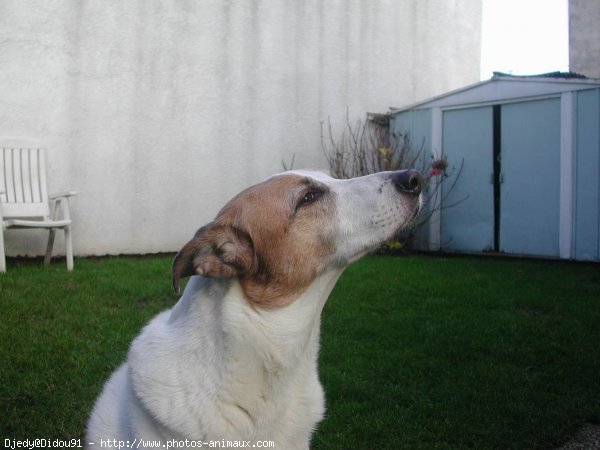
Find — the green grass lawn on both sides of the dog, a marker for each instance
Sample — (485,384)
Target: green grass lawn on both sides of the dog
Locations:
(417,352)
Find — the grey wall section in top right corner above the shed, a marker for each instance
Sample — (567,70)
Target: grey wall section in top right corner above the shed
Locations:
(584,37)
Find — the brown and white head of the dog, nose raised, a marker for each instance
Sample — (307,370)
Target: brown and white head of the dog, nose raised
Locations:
(277,236)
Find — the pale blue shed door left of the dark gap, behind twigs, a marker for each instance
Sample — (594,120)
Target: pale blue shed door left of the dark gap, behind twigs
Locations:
(467,138)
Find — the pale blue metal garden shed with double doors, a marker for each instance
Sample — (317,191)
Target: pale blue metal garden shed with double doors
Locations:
(528,151)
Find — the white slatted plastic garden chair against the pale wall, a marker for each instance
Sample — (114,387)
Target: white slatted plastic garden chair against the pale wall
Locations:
(24,201)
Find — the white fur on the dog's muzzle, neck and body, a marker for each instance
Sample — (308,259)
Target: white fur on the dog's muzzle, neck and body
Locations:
(217,367)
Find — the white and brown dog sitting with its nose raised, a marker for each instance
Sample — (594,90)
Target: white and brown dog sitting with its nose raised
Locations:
(236,358)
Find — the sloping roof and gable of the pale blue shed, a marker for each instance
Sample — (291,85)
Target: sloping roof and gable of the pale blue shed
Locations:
(505,88)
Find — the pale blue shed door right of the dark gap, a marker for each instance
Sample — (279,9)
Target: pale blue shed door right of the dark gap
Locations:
(530,152)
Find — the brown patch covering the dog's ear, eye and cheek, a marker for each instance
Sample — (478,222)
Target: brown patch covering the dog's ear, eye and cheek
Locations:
(275,237)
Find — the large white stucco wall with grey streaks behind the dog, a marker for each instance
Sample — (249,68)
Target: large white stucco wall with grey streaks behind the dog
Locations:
(157,112)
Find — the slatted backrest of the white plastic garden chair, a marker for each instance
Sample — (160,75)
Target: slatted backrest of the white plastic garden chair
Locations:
(23,179)
